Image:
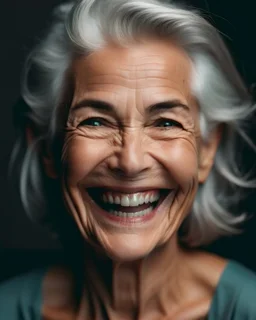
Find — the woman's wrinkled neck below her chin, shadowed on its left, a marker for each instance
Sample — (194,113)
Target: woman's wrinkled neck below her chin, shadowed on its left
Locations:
(131,290)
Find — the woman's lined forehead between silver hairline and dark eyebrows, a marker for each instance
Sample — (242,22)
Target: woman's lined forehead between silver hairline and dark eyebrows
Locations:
(145,65)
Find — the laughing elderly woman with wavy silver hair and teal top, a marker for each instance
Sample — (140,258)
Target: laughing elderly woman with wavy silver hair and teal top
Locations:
(135,112)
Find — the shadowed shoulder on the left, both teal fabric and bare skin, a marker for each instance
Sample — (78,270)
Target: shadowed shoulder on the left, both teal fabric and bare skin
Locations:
(37,294)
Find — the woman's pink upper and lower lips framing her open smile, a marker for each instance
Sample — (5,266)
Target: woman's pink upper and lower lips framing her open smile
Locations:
(134,221)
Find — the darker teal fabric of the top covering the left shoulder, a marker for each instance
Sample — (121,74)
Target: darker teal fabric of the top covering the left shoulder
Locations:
(20,297)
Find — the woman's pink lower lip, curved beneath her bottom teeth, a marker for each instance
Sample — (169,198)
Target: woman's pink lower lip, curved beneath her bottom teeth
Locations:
(126,221)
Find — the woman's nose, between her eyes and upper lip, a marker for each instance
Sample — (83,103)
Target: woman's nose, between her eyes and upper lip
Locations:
(132,157)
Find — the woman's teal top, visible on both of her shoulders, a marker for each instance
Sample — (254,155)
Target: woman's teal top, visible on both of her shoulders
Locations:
(234,298)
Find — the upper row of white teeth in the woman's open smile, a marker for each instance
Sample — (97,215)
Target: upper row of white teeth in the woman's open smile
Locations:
(131,199)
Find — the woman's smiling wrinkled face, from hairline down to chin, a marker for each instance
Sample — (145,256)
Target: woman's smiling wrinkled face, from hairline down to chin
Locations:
(131,160)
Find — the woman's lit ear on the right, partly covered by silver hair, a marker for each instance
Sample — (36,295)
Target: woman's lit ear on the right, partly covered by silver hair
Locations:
(207,154)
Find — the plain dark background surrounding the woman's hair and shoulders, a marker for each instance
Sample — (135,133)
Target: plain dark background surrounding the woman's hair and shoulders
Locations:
(24,245)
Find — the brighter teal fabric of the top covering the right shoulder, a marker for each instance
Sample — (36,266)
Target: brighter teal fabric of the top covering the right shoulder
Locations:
(235,294)
